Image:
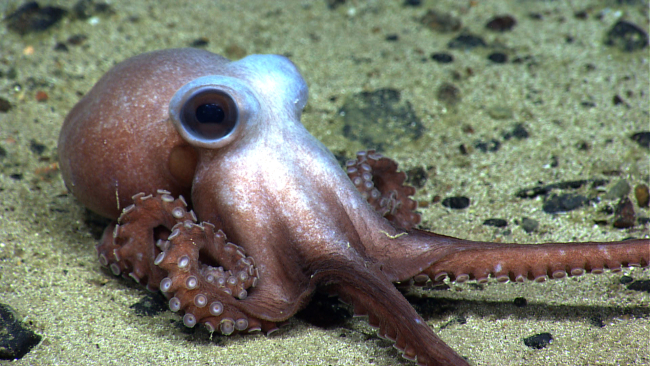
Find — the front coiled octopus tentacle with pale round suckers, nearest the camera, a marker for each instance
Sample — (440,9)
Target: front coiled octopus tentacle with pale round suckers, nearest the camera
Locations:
(207,289)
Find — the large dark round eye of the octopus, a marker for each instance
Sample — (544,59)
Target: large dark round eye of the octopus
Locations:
(209,115)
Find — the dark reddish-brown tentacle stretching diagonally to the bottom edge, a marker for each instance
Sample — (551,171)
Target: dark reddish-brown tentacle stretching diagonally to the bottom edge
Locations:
(372,295)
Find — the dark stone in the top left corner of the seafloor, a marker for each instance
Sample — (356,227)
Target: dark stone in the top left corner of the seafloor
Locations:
(30,17)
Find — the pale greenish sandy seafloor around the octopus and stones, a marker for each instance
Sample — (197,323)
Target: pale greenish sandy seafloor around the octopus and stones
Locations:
(48,269)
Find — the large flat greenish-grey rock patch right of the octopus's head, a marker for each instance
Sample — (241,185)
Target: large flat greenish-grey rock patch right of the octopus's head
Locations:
(380,119)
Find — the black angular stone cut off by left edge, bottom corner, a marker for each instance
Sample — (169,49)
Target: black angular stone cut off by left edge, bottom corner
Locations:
(16,340)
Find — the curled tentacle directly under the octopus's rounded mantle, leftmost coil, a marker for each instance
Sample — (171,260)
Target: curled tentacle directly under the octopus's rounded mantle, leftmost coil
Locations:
(128,246)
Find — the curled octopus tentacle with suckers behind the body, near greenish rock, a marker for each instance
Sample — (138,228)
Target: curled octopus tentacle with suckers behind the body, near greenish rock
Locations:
(377,179)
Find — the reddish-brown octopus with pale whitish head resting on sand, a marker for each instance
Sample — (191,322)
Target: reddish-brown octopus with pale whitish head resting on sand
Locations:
(272,216)
